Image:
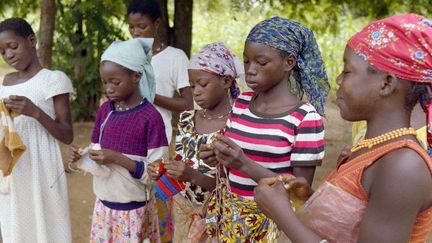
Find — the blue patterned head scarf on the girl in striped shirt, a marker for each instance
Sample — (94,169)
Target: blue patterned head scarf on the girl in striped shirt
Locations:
(291,37)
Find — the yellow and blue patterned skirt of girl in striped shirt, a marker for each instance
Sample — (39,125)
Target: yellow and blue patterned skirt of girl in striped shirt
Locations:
(232,218)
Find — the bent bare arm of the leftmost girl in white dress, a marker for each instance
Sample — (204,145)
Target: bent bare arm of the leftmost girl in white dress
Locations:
(60,128)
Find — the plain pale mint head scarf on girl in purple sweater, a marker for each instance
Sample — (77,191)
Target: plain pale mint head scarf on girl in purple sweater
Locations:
(135,54)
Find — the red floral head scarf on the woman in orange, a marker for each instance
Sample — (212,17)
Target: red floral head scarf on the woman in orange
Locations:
(400,45)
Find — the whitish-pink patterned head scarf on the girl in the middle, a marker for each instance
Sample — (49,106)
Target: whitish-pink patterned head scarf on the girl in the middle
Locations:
(218,59)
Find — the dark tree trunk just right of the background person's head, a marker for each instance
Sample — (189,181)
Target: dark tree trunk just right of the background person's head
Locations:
(183,25)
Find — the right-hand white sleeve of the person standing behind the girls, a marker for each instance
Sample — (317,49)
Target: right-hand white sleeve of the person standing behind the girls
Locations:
(180,74)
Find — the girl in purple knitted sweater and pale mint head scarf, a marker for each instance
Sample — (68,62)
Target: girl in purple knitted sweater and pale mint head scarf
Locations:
(130,132)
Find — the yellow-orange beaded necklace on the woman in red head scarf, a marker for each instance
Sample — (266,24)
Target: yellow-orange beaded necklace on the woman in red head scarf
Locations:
(369,143)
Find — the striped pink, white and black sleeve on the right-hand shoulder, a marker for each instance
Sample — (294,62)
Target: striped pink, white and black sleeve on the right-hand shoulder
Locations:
(308,146)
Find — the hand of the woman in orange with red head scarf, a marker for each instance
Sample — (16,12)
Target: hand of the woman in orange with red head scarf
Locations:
(267,196)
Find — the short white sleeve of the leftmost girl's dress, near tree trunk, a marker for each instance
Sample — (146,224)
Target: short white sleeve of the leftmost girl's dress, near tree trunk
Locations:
(57,84)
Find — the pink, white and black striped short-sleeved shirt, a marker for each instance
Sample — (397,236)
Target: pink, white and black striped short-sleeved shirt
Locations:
(276,142)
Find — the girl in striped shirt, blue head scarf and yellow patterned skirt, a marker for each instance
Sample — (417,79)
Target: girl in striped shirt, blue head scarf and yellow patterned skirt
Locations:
(271,130)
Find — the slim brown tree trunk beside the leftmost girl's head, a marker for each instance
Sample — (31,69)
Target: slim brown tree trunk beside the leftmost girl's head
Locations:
(46,32)
